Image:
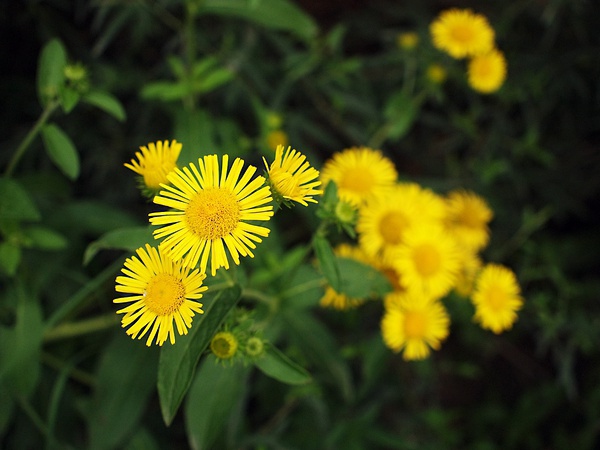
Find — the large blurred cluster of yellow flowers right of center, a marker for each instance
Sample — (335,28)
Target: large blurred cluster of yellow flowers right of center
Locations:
(428,245)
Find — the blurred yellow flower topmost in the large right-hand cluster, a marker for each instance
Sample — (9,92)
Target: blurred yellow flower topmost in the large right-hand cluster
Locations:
(358,173)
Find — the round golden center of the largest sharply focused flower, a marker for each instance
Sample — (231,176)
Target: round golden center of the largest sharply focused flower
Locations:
(213,213)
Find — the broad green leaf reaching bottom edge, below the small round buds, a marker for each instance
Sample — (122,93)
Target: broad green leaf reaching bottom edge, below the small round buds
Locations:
(216,390)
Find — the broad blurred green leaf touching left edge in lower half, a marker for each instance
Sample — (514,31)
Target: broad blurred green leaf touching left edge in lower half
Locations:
(20,347)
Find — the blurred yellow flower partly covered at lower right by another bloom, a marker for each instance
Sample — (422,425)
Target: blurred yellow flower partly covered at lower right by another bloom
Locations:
(387,216)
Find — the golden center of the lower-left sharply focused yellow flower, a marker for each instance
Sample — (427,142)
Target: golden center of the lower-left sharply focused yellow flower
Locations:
(164,294)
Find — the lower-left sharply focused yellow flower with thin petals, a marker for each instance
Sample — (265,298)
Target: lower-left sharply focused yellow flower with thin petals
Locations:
(160,291)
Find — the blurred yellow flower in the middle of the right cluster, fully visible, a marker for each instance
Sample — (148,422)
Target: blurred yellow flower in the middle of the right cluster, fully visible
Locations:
(428,261)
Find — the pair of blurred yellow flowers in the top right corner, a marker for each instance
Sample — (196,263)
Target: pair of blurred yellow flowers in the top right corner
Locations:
(462,33)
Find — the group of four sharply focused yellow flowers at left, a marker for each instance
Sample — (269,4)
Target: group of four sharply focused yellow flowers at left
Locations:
(215,213)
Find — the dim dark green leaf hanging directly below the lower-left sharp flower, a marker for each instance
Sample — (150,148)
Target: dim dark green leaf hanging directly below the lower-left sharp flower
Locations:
(125,380)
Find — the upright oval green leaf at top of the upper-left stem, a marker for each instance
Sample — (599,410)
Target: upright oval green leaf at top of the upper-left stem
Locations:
(51,67)
